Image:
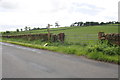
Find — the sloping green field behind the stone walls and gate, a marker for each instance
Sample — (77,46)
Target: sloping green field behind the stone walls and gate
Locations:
(76,34)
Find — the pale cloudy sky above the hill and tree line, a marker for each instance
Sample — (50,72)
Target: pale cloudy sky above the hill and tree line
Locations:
(38,13)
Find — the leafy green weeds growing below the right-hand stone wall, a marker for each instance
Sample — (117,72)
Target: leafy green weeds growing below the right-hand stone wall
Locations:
(104,48)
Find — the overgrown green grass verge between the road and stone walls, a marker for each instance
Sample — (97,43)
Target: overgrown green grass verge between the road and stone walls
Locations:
(92,51)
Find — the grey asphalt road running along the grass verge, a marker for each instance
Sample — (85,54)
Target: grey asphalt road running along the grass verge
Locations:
(23,62)
